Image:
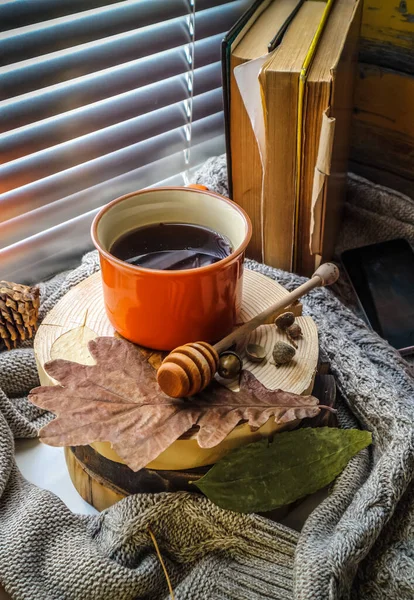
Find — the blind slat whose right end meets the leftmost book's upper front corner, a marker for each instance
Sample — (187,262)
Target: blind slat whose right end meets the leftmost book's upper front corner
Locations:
(82,91)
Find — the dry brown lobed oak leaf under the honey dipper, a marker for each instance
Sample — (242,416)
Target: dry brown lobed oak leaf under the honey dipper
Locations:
(118,400)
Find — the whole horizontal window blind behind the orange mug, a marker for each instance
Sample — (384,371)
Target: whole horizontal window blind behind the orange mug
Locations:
(98,99)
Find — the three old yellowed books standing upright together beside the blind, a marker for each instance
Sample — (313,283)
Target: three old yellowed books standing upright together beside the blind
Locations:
(288,70)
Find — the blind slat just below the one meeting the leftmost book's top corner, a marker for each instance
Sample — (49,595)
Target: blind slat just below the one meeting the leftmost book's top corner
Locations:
(69,125)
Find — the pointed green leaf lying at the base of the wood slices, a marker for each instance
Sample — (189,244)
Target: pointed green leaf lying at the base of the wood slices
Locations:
(265,475)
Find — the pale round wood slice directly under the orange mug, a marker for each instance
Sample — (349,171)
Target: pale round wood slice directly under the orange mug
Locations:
(80,316)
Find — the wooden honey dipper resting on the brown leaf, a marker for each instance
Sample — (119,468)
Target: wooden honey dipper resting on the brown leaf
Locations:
(190,368)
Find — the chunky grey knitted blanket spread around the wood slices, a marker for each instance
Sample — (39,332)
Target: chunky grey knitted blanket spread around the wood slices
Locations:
(357,544)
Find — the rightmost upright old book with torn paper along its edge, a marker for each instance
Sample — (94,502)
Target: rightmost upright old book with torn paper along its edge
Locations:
(327,118)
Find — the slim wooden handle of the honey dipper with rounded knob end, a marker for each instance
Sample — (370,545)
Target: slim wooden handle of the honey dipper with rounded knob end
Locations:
(326,274)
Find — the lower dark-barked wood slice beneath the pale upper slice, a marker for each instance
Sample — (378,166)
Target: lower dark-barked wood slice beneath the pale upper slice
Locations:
(102,482)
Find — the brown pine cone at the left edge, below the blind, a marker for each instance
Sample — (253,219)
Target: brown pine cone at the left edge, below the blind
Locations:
(19,308)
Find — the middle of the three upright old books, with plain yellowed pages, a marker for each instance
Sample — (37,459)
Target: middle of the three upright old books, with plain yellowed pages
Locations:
(279,79)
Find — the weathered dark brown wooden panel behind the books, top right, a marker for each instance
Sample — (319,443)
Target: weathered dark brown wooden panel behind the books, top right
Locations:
(382,133)
